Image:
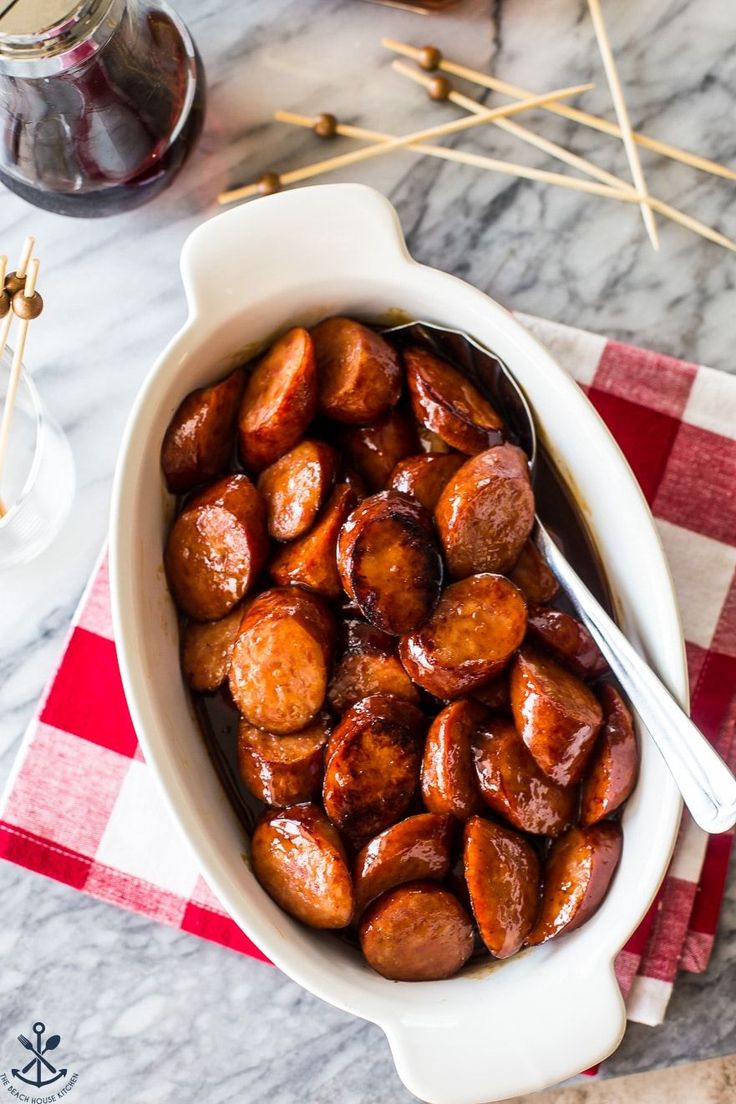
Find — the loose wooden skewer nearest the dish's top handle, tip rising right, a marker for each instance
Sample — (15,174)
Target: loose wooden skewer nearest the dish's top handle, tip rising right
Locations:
(402,143)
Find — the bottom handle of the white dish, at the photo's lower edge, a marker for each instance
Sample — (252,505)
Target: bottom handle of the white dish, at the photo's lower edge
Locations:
(494,1046)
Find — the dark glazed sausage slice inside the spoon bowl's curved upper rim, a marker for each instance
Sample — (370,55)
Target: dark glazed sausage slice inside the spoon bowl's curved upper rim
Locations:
(446,402)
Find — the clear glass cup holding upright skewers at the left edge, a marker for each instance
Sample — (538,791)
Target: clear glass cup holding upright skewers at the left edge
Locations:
(37,487)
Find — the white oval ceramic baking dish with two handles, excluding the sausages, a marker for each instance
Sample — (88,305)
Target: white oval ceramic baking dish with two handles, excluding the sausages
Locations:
(295,258)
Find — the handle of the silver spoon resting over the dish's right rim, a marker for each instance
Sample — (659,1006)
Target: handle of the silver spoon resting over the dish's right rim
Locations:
(708,787)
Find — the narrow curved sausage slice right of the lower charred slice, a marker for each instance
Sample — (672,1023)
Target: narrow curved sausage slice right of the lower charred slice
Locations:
(449,777)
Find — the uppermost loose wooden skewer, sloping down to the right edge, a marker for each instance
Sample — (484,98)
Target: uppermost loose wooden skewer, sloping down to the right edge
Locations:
(594,122)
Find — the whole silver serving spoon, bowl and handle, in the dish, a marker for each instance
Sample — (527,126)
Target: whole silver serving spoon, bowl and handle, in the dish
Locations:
(708,787)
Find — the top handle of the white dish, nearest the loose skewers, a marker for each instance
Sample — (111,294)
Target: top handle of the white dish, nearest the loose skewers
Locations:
(251,252)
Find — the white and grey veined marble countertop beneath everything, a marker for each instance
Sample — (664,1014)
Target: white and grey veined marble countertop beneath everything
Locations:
(159,1016)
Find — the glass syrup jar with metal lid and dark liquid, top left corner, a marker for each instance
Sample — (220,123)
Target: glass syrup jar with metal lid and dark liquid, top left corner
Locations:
(101,102)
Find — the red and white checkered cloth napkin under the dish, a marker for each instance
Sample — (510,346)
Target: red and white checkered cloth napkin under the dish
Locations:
(83,808)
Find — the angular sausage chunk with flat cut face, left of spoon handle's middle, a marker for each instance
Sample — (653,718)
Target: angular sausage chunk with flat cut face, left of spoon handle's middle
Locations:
(556,715)
